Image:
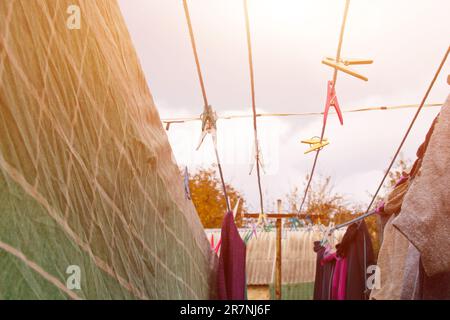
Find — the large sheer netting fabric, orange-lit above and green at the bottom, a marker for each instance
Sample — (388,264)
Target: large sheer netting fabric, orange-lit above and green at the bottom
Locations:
(86,170)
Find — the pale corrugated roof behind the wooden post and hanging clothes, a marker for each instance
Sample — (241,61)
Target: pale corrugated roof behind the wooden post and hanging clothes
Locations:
(298,257)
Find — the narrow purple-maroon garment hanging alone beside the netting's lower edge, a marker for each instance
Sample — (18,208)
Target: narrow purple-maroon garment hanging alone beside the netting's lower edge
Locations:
(231,271)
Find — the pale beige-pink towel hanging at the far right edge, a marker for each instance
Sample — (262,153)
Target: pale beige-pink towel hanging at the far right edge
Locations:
(425,215)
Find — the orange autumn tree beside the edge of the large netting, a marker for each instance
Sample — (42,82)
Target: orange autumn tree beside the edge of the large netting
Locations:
(208,198)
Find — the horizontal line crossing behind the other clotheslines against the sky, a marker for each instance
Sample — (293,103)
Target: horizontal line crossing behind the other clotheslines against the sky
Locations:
(301,114)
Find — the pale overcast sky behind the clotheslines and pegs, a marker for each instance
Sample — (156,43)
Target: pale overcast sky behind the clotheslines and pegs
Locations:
(406,39)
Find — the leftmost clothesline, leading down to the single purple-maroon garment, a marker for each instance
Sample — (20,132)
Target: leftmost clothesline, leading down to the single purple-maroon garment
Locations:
(205,99)
